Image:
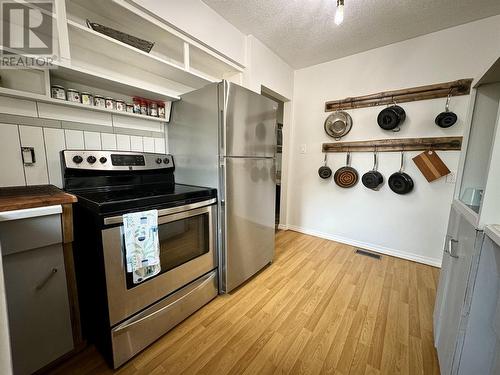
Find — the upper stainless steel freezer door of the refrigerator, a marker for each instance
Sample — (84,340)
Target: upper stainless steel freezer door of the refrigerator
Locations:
(249,122)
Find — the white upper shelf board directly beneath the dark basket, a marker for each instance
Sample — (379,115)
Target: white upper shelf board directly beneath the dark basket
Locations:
(113,48)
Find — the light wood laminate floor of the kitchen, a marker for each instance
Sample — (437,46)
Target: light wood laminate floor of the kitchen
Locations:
(318,309)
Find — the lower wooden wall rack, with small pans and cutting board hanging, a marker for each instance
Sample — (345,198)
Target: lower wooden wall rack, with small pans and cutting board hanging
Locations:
(402,144)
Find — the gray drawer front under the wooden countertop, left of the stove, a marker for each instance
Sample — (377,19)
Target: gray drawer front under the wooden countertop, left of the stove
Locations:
(30,233)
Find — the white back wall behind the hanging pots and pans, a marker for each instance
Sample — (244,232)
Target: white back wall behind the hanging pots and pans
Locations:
(411,226)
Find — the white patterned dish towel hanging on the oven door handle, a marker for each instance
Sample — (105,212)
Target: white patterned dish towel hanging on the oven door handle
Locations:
(142,249)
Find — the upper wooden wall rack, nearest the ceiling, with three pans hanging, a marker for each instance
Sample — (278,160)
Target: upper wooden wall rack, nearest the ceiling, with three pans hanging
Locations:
(440,90)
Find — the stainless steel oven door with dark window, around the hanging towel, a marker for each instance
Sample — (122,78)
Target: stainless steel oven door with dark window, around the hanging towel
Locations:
(187,251)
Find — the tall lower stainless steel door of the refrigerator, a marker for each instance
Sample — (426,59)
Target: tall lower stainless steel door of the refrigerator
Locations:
(248,212)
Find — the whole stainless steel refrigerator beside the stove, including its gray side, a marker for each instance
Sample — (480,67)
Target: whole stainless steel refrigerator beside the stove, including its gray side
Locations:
(224,136)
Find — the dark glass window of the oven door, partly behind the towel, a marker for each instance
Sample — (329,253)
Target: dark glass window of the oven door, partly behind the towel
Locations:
(180,241)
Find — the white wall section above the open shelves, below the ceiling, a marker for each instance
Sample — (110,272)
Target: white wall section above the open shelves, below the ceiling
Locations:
(201,22)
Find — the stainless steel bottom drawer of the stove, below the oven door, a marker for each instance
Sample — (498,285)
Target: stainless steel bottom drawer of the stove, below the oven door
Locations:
(136,333)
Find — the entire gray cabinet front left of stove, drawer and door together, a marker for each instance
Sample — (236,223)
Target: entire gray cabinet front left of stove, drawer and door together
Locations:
(36,290)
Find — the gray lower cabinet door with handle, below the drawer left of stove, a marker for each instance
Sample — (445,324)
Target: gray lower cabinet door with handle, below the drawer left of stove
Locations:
(38,307)
